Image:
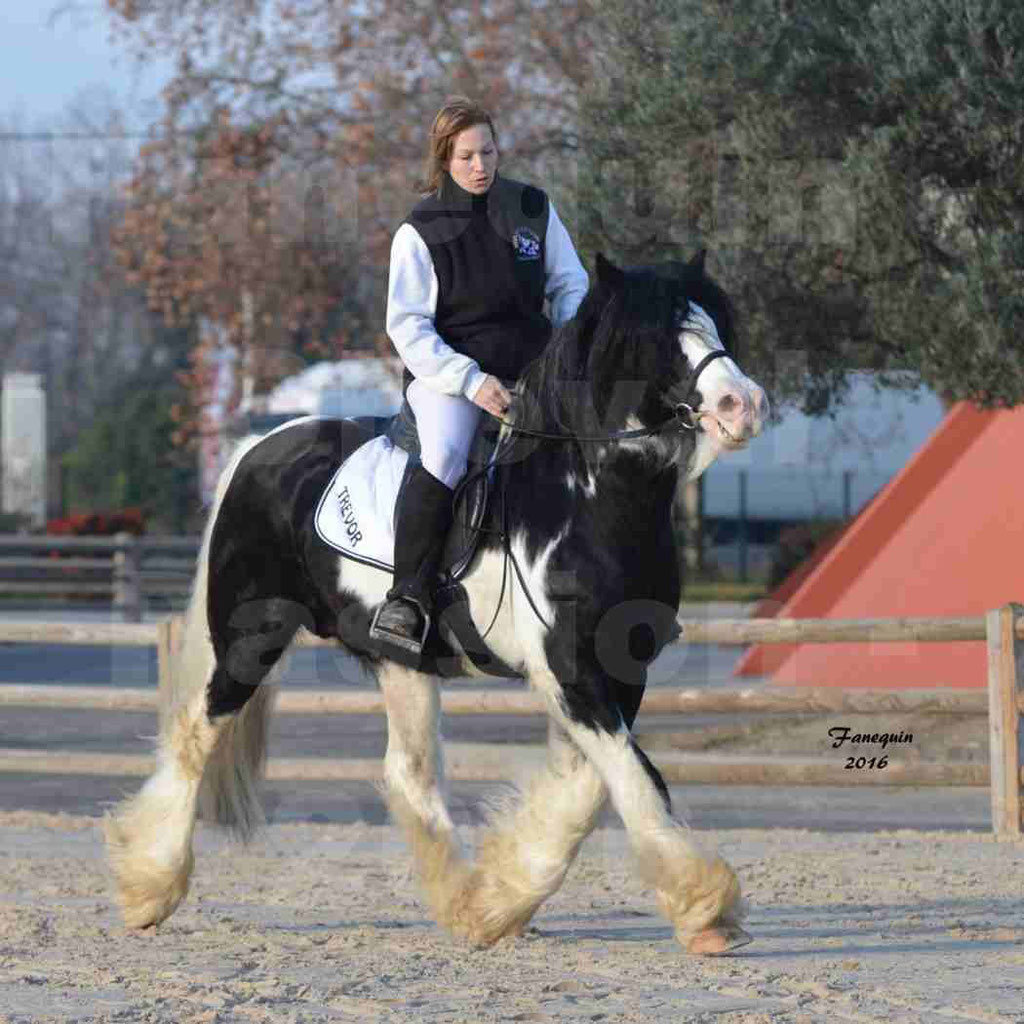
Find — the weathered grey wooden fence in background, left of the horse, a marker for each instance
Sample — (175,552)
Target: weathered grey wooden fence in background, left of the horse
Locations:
(126,573)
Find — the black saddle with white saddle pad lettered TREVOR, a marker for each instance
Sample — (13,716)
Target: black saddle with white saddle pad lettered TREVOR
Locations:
(356,518)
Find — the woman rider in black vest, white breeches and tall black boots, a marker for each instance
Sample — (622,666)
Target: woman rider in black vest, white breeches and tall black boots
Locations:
(472,268)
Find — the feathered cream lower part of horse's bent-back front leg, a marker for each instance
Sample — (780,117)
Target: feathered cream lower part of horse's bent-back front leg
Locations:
(532,842)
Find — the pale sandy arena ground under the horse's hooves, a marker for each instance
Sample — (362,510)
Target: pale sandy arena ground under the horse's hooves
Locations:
(323,923)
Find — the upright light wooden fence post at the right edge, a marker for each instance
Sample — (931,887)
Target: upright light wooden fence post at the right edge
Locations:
(1006,670)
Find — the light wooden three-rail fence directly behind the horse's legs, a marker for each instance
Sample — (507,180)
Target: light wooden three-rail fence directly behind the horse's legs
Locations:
(1002,630)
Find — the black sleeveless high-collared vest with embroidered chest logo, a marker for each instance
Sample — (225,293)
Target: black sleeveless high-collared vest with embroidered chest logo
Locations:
(488,253)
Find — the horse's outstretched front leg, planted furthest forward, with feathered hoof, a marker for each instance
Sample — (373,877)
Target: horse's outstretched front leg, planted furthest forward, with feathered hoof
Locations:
(699,894)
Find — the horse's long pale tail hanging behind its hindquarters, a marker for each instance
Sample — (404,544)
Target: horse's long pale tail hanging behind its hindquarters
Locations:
(230,790)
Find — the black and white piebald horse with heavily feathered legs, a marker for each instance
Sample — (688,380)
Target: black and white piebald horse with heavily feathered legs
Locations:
(637,394)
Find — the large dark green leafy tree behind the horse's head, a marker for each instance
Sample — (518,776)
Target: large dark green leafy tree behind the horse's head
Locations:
(856,169)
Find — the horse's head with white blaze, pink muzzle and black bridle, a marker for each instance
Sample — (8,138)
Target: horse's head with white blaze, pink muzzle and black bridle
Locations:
(696,376)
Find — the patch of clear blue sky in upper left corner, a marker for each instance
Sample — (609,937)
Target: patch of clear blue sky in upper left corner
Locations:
(46,67)
